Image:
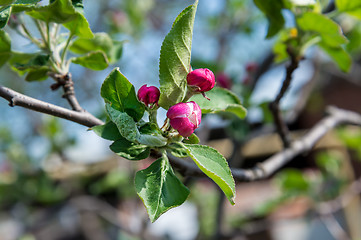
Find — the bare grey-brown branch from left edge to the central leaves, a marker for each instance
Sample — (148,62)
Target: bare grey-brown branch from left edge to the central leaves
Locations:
(18,99)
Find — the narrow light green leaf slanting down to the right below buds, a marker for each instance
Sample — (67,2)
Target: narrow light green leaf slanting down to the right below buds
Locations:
(215,166)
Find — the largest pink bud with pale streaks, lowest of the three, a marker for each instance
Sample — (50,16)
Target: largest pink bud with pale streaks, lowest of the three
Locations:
(185,117)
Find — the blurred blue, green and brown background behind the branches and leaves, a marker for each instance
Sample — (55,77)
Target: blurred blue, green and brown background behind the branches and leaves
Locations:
(60,181)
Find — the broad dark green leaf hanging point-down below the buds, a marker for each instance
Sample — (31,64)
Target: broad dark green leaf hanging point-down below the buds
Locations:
(159,189)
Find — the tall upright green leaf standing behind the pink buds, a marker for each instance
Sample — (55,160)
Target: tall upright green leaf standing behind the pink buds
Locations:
(175,57)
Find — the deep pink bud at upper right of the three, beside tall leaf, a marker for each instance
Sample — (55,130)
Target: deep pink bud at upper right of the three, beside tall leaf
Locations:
(202,78)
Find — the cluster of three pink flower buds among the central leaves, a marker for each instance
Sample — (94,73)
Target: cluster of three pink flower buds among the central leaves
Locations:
(183,117)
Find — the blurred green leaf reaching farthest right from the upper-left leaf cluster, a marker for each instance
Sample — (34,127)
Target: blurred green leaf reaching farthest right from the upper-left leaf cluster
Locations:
(101,41)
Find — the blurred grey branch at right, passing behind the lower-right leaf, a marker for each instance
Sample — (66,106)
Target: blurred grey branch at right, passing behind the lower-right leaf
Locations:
(271,165)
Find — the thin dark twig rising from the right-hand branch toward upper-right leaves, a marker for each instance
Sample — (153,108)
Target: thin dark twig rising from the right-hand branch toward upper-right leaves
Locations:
(274,106)
